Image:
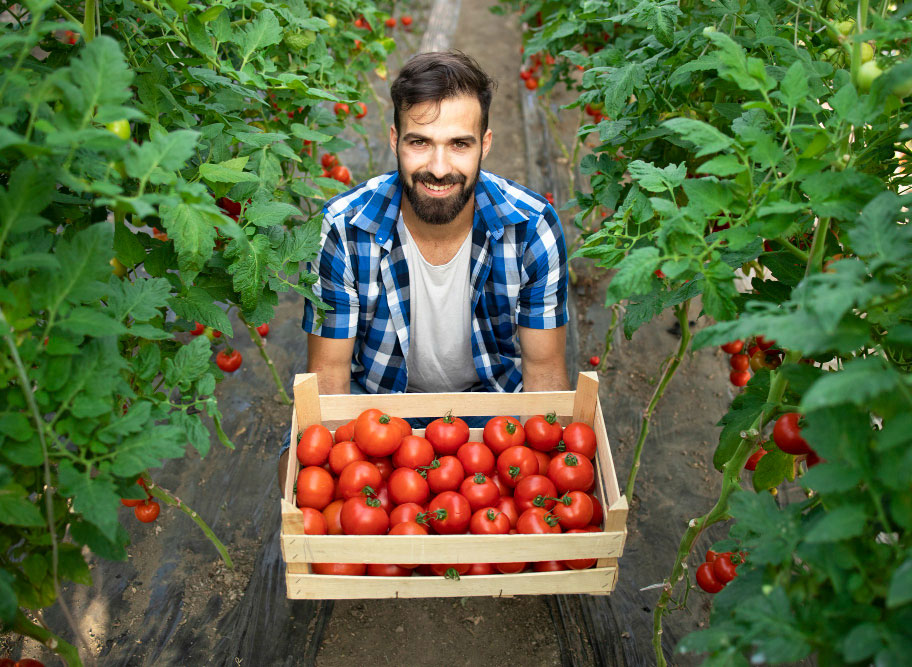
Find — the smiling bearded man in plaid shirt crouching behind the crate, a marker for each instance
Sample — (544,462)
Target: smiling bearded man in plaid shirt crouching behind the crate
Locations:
(434,272)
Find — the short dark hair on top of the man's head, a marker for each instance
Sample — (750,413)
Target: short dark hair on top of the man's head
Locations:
(440,75)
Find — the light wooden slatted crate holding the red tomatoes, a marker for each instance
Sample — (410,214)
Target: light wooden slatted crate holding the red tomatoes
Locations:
(299,549)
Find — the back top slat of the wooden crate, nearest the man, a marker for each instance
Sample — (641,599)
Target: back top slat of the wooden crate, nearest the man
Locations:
(347,406)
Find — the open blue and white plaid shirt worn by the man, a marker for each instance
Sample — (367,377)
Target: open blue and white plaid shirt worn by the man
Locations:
(518,272)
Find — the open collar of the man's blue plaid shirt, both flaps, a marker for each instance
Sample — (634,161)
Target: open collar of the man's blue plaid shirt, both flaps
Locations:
(381,212)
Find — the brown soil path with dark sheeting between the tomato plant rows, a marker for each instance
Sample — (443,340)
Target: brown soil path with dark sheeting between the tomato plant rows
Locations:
(174,602)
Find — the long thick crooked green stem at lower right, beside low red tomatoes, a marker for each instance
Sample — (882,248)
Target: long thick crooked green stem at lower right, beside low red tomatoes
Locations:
(731,482)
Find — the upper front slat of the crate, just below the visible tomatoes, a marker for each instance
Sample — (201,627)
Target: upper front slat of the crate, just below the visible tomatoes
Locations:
(449,548)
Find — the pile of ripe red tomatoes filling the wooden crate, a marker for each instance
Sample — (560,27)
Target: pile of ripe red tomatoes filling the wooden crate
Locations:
(377,477)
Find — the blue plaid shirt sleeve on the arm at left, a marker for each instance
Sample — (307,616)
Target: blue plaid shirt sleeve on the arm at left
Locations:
(335,286)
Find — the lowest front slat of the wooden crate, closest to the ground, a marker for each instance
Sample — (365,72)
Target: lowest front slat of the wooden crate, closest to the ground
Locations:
(324,587)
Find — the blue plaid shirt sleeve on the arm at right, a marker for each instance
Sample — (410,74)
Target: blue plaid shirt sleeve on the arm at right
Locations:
(542,300)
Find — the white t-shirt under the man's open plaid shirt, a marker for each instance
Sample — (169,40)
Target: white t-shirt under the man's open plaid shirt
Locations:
(440,339)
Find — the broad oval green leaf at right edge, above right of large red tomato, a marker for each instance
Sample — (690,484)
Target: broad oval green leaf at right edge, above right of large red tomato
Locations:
(860,381)
